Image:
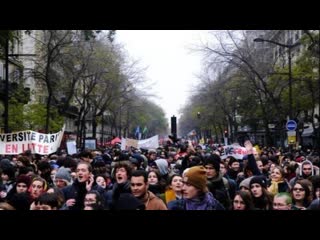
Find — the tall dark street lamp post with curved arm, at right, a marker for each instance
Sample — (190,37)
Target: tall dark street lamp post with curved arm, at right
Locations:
(289,47)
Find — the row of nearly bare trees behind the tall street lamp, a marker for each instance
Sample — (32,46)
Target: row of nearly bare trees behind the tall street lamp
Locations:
(245,85)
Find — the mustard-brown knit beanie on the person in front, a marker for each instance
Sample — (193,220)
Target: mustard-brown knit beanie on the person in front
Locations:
(197,177)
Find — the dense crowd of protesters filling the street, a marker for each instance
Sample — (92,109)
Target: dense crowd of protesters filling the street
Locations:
(176,176)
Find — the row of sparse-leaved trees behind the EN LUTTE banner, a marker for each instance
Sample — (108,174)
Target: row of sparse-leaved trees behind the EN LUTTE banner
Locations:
(87,76)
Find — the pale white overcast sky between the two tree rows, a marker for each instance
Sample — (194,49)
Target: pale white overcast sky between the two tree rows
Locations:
(171,64)
